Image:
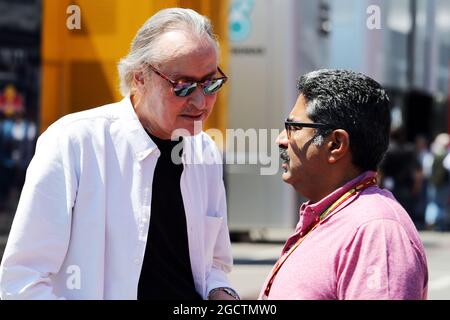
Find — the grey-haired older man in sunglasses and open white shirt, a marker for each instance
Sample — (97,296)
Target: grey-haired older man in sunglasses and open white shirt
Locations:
(109,210)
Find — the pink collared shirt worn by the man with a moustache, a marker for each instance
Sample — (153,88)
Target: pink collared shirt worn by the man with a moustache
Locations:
(367,248)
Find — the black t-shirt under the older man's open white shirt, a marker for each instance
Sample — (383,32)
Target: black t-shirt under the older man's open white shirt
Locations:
(166,271)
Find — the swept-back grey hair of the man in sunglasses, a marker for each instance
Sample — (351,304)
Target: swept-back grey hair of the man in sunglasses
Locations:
(143,49)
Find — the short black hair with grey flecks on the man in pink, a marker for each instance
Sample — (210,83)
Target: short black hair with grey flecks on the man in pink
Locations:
(343,99)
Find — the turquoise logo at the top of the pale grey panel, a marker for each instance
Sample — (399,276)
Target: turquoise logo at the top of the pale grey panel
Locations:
(239,23)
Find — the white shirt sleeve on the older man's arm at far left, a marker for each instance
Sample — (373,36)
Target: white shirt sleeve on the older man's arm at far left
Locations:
(40,233)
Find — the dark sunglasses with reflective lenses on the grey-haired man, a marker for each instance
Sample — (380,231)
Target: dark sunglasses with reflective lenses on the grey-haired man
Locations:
(183,88)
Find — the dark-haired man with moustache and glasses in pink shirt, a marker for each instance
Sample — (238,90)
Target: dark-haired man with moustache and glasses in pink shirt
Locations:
(353,239)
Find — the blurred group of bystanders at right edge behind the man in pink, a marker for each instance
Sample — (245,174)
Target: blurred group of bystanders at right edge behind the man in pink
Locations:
(418,174)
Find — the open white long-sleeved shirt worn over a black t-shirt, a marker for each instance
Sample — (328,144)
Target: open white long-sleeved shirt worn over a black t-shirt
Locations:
(81,226)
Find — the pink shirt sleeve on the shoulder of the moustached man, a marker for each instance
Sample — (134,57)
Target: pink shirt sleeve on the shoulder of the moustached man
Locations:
(381,262)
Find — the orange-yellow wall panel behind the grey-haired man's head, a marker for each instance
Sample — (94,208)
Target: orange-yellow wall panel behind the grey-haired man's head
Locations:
(79,66)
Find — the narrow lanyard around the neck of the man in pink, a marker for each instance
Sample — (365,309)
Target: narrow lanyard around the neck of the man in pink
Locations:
(361,186)
